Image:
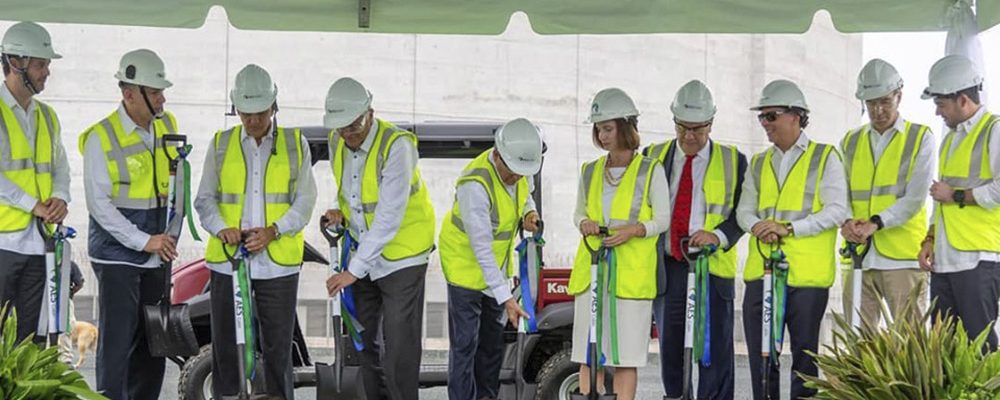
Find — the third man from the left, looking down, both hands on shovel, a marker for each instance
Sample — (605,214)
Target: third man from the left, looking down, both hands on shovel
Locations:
(256,187)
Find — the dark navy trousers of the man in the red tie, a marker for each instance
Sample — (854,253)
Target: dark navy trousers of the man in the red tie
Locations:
(716,380)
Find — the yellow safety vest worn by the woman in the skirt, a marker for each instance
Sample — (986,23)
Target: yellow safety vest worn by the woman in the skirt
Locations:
(636,274)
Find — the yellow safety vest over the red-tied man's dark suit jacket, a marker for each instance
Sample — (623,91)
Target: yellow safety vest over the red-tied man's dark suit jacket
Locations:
(720,197)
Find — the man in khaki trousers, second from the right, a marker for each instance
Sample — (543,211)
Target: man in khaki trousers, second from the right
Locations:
(888,163)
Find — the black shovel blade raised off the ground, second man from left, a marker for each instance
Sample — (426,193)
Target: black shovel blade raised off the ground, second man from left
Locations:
(169,331)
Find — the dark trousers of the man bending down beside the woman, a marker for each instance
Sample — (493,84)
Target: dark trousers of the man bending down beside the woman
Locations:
(475,336)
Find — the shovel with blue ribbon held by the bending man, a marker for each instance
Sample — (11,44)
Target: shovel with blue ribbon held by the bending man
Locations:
(529,254)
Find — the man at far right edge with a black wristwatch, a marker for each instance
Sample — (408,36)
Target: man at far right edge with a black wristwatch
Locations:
(962,247)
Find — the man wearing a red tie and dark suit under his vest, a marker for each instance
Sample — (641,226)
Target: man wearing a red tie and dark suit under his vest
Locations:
(708,217)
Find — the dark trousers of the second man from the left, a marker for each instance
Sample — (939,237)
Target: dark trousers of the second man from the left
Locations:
(125,369)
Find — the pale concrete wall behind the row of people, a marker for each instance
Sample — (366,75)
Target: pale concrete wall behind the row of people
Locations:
(548,79)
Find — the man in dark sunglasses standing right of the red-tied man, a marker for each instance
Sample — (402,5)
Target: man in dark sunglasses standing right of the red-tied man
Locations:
(793,197)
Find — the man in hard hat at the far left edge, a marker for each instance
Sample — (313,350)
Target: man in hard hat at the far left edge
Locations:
(34,179)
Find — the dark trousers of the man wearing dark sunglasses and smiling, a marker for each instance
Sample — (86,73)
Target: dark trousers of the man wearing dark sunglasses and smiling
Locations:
(803,316)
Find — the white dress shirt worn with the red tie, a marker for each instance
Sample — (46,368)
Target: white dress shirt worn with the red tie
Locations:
(699,166)
